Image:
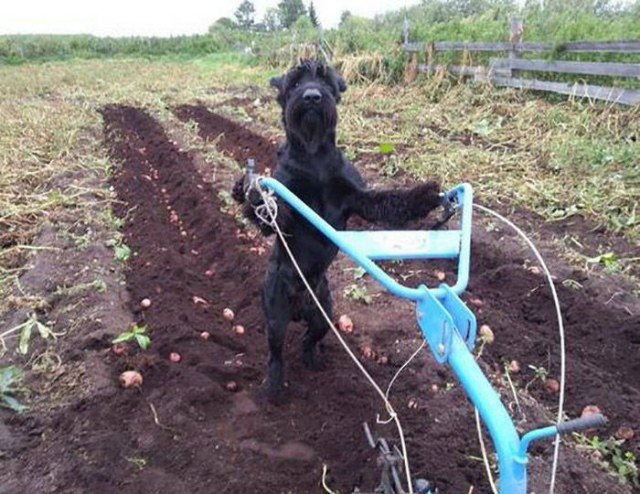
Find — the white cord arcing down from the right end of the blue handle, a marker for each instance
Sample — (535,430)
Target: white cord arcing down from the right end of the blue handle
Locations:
(556,301)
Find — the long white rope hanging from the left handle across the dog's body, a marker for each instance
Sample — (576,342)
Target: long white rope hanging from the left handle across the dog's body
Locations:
(388,406)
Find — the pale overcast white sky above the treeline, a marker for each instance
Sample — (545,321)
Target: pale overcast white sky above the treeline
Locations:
(155,17)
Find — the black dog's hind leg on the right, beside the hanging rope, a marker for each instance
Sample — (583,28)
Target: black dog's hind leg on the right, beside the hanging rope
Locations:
(317,325)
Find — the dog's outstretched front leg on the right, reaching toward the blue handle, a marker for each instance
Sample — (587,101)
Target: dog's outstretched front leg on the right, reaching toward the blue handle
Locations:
(396,206)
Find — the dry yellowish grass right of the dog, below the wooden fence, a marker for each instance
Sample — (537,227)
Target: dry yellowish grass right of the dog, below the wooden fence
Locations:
(556,159)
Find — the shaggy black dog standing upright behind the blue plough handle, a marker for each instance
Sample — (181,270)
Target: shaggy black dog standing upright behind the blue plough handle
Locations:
(313,168)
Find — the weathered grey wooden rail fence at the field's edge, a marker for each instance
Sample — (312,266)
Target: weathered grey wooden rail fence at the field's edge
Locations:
(504,71)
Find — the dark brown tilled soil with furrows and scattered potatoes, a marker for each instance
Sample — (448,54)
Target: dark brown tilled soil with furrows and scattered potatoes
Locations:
(202,425)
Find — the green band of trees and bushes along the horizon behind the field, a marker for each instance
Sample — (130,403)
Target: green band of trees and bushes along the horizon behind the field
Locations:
(293,24)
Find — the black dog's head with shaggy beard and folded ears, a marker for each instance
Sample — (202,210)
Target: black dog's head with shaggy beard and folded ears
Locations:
(308,94)
